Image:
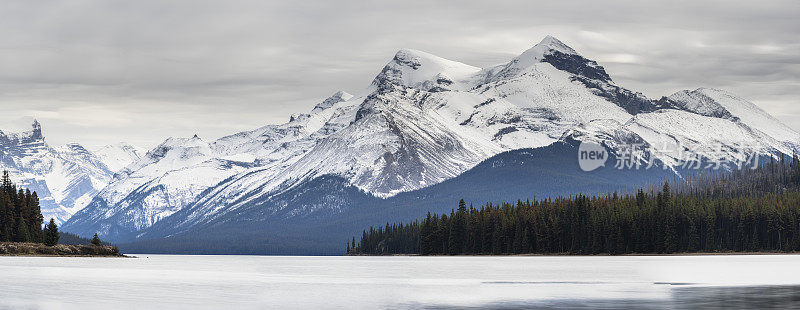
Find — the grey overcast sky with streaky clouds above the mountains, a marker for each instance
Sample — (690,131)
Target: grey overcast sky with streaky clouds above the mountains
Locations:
(100,72)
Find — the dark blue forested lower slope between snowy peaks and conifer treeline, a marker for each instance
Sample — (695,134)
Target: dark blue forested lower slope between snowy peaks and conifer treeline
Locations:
(327,210)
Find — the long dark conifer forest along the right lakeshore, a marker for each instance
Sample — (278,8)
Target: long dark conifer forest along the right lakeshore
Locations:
(744,210)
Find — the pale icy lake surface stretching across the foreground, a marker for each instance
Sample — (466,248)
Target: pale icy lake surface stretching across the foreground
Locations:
(265,282)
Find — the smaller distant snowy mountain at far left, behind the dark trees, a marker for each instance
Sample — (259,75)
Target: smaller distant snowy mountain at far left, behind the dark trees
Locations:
(66,178)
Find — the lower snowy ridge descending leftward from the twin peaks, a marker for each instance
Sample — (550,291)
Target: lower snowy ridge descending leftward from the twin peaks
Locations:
(175,173)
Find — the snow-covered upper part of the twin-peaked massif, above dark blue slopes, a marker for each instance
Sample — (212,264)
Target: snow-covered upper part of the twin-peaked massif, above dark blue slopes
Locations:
(423,120)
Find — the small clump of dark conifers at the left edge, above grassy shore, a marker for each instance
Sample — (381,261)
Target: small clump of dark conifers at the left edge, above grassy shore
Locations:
(20,214)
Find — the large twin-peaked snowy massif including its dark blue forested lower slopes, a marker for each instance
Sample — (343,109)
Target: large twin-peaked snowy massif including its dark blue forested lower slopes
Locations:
(426,131)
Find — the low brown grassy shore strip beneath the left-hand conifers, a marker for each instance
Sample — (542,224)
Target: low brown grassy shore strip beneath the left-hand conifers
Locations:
(38,249)
